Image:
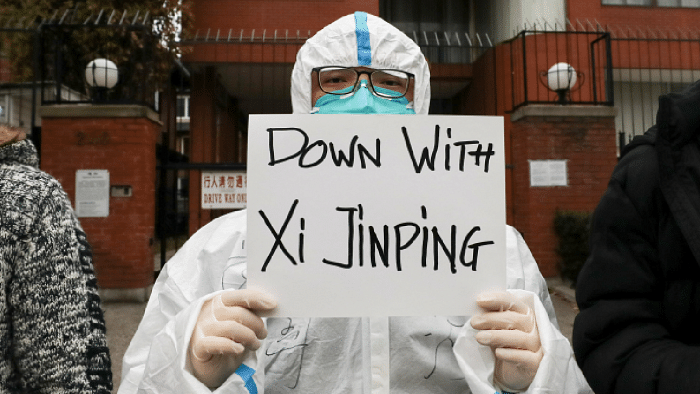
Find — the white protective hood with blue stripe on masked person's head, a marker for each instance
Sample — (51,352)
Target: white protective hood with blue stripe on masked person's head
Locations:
(337,45)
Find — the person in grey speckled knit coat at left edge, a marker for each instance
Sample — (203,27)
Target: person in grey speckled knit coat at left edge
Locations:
(52,331)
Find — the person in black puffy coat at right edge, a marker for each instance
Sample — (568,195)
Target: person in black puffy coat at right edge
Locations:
(639,292)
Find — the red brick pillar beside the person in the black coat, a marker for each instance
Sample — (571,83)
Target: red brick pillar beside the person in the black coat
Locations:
(582,136)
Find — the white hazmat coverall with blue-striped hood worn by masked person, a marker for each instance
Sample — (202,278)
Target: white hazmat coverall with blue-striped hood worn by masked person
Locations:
(335,355)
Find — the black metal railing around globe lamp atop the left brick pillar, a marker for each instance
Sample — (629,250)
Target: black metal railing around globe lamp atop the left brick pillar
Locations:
(67,49)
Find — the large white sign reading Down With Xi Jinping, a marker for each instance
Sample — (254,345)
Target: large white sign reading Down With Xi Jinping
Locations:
(347,213)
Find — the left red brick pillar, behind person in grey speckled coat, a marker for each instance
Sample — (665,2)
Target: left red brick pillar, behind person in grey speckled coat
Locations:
(122,140)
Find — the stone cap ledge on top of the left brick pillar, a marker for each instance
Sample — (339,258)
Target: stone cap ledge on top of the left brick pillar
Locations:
(98,111)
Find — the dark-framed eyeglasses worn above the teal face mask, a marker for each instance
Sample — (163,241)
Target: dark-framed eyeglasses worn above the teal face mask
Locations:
(385,83)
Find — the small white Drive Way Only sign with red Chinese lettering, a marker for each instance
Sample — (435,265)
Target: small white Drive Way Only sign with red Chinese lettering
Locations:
(224,190)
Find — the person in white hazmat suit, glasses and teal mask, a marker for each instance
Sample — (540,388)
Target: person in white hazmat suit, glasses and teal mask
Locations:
(200,332)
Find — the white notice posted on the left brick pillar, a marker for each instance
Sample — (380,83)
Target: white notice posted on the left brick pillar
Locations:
(92,193)
